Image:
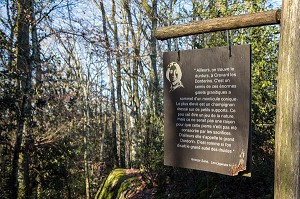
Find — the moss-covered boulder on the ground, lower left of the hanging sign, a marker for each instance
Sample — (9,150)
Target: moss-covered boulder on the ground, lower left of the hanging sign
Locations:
(121,183)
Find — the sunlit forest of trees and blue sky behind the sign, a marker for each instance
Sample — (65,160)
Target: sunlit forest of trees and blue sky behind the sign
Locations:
(81,94)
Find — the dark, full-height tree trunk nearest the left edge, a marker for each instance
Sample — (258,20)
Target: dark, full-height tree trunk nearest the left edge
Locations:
(23,66)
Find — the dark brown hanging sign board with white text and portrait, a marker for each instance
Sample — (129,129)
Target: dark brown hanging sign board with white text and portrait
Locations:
(207,109)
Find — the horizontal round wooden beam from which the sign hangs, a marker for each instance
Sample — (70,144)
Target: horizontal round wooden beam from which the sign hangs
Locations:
(219,24)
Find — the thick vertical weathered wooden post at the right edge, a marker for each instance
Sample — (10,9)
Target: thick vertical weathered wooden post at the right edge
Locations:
(287,146)
